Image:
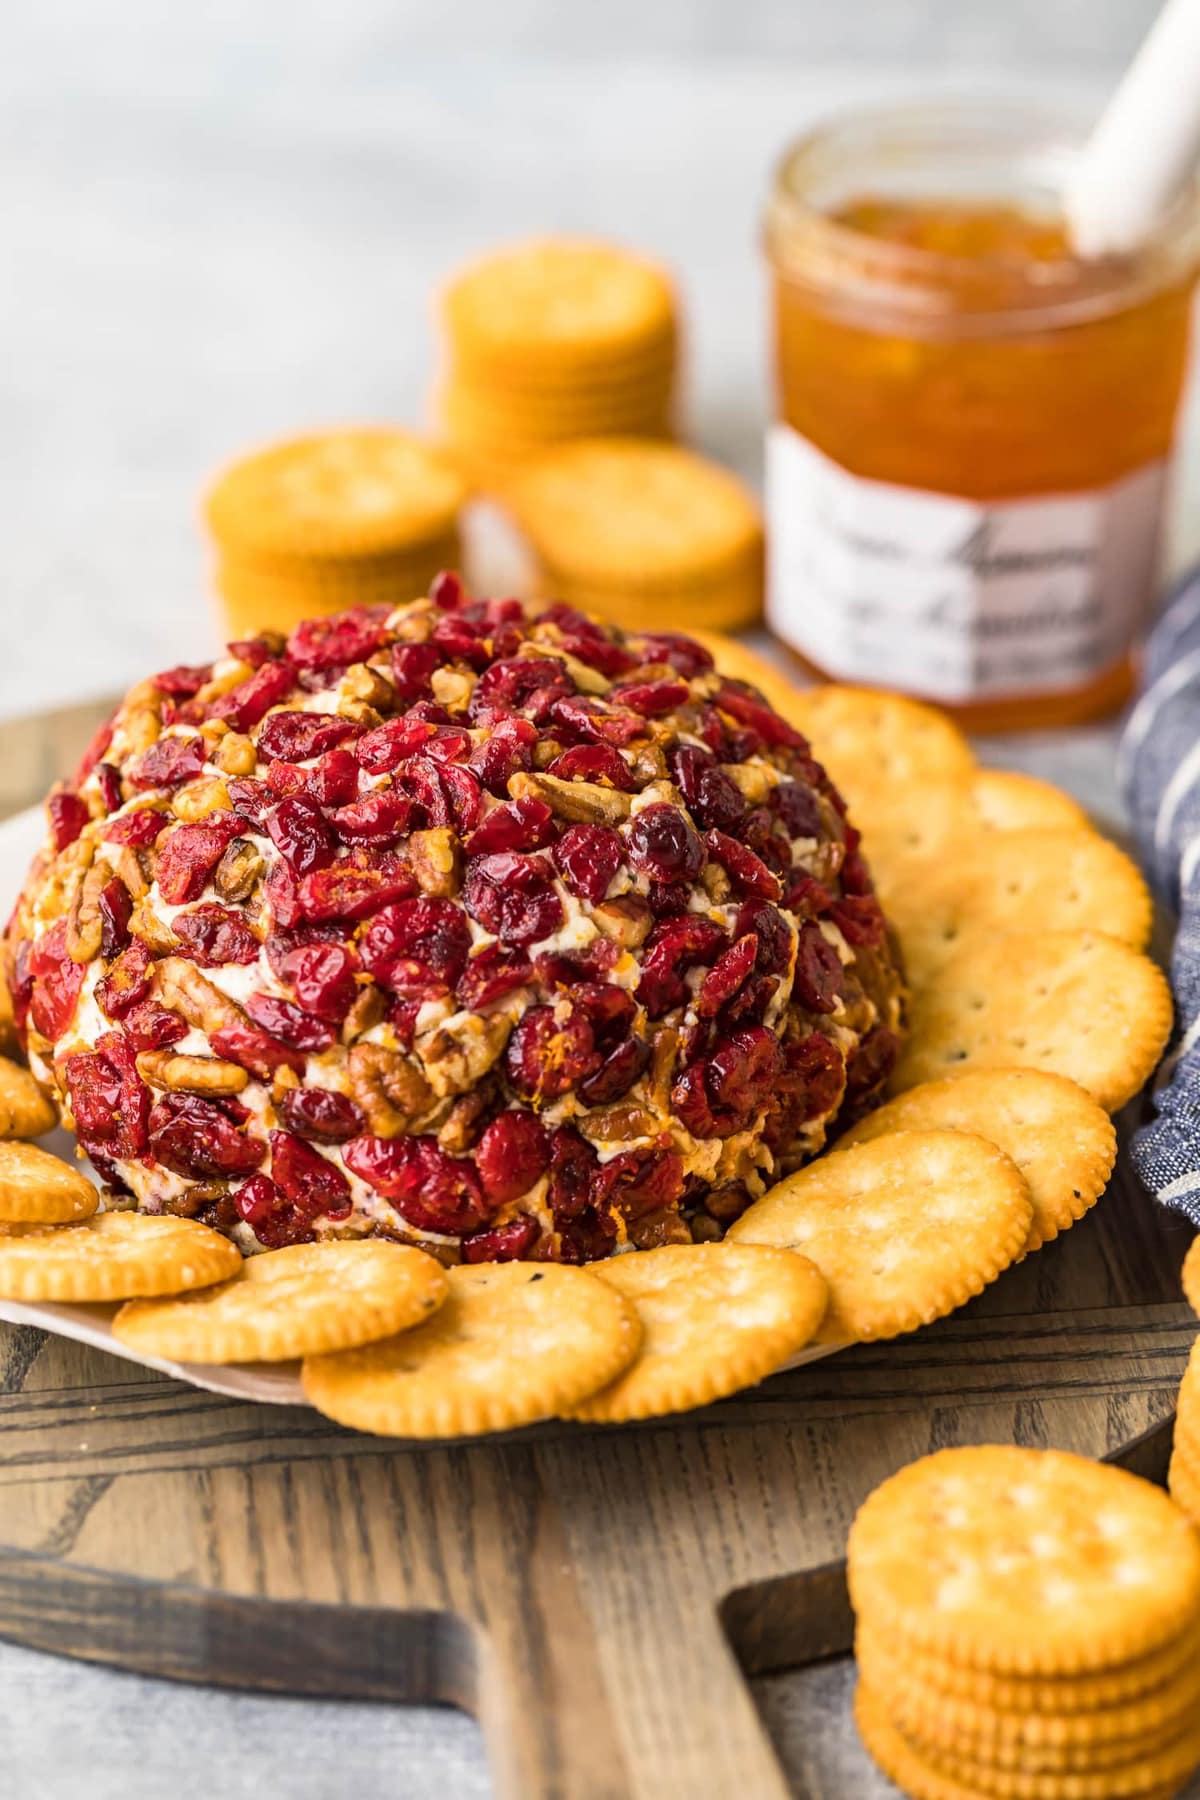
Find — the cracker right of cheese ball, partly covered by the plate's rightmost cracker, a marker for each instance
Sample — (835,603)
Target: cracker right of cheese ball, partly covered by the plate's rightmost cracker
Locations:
(1012,881)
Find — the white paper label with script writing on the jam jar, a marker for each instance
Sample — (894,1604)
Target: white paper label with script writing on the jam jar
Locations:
(956,598)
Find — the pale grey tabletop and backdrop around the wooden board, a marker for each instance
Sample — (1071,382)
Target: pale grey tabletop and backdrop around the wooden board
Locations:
(224,222)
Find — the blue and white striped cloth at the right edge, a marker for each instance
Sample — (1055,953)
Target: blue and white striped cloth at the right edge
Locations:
(1161,780)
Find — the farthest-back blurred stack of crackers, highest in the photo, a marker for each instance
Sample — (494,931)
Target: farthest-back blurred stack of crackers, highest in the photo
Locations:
(553,341)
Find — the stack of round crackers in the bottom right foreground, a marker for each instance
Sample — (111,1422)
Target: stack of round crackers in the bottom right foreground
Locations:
(1028,1626)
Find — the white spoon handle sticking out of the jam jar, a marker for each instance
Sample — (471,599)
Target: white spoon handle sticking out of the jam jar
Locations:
(1147,141)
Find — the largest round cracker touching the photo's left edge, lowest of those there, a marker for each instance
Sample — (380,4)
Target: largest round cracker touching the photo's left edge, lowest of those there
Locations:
(112,1257)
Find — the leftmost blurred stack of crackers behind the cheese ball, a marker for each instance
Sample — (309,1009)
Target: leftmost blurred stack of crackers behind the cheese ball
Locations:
(332,521)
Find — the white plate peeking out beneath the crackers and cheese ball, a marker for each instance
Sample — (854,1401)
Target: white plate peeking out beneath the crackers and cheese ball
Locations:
(21,838)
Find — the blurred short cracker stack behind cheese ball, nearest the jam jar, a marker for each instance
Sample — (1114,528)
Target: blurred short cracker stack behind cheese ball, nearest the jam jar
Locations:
(649,535)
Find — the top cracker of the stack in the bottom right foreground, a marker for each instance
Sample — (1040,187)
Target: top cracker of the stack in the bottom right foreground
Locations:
(1023,1561)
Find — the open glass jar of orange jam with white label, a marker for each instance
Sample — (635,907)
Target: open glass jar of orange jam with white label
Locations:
(967,476)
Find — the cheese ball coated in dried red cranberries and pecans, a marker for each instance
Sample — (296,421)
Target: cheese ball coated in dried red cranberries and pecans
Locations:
(506,935)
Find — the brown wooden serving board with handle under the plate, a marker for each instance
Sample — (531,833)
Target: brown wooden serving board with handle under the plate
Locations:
(595,1596)
